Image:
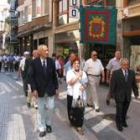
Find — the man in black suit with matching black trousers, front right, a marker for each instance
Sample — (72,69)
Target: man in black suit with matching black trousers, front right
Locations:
(121,86)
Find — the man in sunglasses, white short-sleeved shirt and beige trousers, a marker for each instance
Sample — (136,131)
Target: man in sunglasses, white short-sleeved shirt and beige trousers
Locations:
(94,68)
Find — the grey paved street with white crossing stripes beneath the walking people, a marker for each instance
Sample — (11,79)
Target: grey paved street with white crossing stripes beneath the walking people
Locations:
(17,122)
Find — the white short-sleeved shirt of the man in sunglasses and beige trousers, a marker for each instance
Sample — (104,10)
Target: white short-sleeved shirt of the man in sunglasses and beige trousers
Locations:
(93,67)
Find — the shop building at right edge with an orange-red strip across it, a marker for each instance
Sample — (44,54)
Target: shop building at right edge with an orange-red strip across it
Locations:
(131,31)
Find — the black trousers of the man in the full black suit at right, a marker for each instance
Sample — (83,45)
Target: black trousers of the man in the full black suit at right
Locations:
(121,111)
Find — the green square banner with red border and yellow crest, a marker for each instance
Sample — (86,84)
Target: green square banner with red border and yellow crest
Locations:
(98,25)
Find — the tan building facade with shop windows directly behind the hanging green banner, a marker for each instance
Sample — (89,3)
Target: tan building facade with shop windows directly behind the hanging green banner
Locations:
(67,34)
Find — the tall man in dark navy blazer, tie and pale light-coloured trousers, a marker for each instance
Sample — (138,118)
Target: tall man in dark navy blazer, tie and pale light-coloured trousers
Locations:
(43,80)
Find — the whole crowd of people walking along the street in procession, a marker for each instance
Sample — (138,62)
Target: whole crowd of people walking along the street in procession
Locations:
(42,75)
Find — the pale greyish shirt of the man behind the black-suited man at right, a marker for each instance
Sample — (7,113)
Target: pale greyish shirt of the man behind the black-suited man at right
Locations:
(113,64)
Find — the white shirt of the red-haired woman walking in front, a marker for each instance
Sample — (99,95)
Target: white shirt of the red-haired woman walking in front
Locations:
(70,75)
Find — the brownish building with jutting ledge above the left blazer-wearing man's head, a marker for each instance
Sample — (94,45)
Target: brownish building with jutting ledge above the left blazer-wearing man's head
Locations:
(35,24)
